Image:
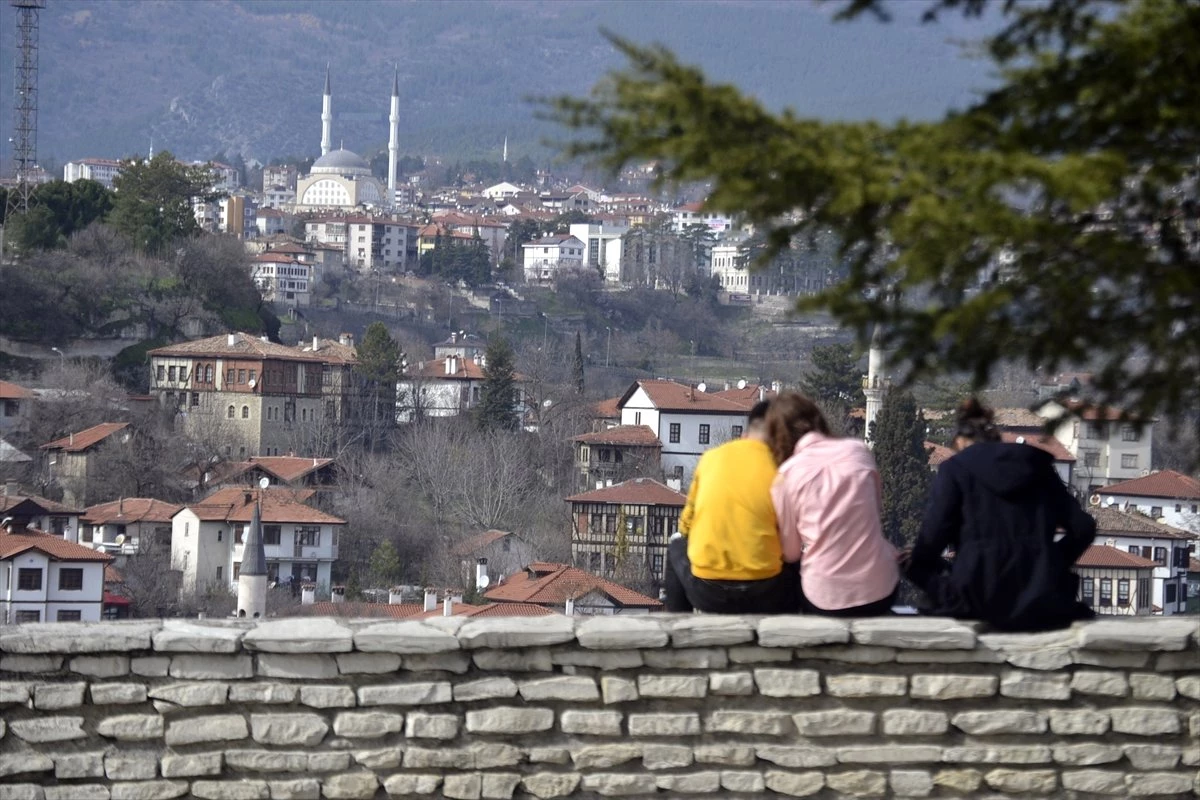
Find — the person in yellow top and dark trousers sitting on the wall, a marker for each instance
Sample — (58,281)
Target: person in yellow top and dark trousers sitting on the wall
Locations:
(727,558)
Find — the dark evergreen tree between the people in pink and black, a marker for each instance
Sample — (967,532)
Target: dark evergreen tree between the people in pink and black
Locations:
(899,437)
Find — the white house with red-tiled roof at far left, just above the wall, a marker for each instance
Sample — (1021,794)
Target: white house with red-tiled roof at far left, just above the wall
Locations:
(46,580)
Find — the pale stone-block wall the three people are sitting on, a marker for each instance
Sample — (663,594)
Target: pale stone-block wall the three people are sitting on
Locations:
(598,707)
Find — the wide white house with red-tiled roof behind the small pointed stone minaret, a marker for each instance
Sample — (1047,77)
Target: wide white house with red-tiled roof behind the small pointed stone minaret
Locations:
(208,537)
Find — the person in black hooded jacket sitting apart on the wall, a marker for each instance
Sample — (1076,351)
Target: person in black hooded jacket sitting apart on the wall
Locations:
(1013,530)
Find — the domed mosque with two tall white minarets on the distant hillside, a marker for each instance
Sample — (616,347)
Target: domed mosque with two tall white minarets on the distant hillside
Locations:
(341,179)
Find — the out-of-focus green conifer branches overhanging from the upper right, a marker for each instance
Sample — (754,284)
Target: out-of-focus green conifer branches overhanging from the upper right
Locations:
(1047,224)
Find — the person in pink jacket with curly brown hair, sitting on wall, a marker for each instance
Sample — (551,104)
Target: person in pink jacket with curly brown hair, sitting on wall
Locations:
(829,498)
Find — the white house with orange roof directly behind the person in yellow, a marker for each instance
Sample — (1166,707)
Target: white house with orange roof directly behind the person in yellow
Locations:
(687,420)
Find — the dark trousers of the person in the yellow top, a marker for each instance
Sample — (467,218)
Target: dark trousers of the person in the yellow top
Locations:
(687,593)
